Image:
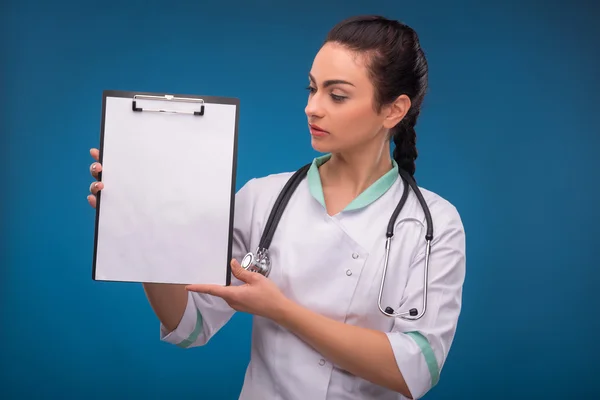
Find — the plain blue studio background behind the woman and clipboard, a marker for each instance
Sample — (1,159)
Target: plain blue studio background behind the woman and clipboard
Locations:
(508,134)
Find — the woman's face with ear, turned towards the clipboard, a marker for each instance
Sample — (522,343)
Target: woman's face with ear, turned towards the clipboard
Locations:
(340,108)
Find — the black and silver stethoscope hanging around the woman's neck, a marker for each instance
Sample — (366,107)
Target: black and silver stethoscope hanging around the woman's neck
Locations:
(261,261)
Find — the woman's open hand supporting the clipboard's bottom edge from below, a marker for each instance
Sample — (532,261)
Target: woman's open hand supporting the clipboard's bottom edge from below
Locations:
(258,295)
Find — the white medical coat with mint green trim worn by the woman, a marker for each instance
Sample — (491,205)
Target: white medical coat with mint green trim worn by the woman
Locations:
(333,265)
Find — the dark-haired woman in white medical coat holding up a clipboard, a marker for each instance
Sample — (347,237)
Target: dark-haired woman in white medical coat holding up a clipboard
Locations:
(318,332)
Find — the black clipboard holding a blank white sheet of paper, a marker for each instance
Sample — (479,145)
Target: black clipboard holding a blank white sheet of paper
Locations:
(166,212)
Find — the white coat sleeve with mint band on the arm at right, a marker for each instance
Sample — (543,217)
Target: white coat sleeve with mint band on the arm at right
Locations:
(421,347)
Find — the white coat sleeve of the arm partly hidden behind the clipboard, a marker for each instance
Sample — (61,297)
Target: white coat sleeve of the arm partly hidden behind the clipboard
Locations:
(204,314)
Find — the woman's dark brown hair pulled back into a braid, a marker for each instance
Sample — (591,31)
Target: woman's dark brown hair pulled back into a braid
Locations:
(397,65)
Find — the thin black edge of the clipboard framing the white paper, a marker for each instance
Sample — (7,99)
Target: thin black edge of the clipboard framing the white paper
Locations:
(207,100)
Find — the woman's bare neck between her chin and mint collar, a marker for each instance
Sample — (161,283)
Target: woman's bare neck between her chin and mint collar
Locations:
(355,171)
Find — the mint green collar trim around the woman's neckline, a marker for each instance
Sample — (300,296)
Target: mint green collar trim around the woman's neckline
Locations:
(372,193)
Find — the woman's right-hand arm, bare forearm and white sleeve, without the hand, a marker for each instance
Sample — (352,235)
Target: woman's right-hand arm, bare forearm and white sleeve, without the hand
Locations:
(408,359)
